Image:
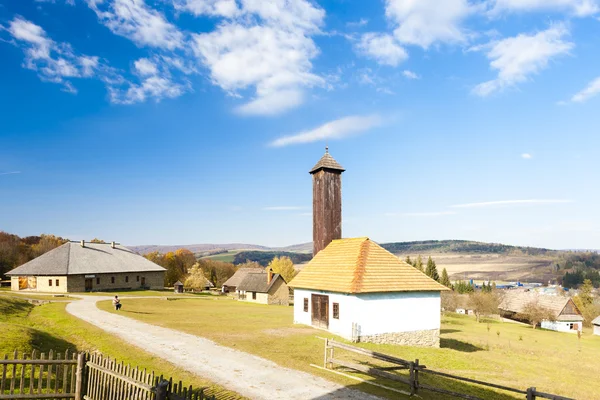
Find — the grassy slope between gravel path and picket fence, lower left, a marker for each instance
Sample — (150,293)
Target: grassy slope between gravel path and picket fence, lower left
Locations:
(24,327)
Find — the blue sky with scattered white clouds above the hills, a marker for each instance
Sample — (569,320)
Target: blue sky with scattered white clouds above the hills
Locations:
(196,121)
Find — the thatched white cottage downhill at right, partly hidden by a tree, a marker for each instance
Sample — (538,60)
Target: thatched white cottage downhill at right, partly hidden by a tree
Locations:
(566,315)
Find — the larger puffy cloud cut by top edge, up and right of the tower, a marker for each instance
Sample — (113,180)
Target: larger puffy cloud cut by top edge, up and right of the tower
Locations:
(425,22)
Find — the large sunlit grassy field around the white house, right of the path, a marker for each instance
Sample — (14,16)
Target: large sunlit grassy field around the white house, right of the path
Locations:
(506,353)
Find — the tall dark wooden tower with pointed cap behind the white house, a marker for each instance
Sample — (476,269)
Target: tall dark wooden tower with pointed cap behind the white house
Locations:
(327,201)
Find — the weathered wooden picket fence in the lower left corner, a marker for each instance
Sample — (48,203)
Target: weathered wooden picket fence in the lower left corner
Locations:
(85,376)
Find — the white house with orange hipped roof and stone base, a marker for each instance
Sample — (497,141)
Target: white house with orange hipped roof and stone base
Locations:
(360,291)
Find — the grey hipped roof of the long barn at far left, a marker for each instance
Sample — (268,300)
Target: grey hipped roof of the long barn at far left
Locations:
(93,258)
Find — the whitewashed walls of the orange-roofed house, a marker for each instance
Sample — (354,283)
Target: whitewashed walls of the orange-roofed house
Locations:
(376,313)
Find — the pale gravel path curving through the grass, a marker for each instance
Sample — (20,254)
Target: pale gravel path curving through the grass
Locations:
(248,375)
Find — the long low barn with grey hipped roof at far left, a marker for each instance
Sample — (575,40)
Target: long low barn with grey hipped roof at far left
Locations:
(83,266)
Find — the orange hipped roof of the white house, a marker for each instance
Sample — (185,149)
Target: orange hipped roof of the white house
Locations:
(360,265)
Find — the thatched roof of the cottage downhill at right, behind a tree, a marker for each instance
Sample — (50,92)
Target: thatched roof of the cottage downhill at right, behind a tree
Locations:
(515,301)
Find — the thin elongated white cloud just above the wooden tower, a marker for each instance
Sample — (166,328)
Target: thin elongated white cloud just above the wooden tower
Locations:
(337,129)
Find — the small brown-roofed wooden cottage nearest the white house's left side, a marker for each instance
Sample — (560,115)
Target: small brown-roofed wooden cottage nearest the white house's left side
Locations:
(264,288)
